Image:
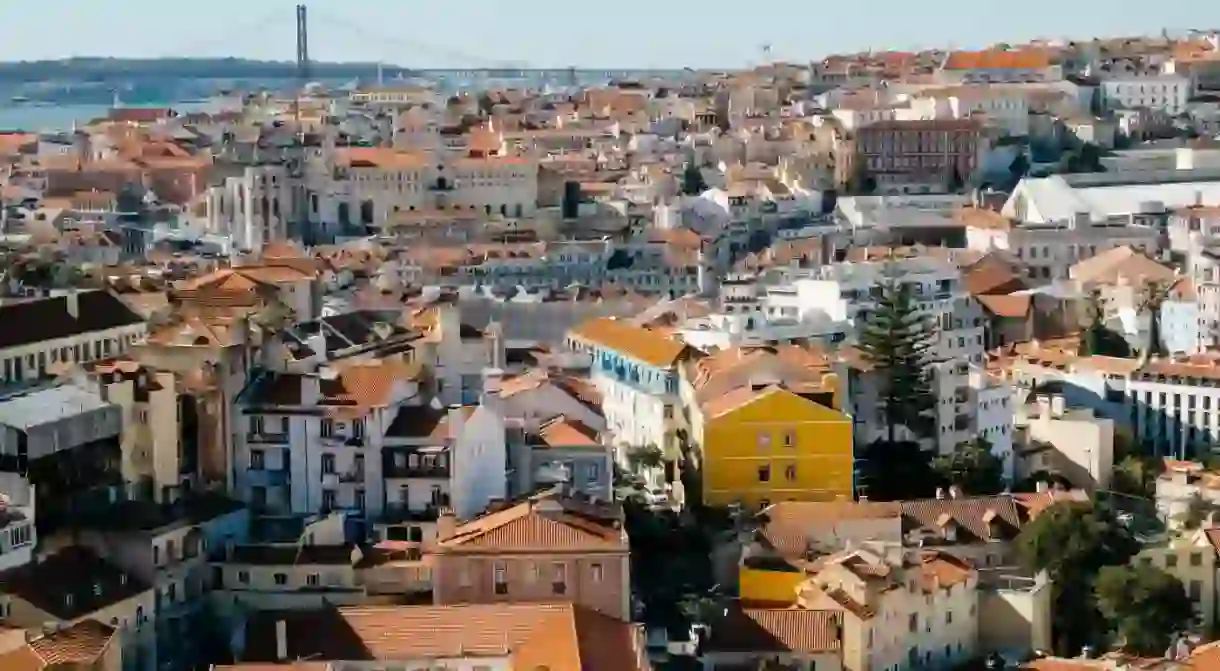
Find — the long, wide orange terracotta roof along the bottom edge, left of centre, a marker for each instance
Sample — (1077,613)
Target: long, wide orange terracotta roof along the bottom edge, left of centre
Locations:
(559,637)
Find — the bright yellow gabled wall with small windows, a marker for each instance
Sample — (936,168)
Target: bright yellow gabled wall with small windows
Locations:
(737,446)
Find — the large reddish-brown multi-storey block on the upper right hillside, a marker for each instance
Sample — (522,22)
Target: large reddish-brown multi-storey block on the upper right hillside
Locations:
(920,157)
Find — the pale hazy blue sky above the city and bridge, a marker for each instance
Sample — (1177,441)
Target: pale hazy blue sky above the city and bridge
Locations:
(548,34)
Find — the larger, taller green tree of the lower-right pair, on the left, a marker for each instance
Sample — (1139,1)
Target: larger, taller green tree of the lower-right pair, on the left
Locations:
(1072,542)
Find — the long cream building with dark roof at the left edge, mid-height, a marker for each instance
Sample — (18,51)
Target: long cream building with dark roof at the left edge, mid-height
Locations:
(58,332)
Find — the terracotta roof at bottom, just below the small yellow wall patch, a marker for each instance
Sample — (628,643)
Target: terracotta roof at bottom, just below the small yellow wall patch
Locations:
(778,631)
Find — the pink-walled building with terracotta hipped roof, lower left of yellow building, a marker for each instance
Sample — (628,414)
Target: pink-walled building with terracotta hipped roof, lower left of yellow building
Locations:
(547,548)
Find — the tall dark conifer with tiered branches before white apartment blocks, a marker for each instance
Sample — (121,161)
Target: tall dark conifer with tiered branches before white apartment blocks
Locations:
(896,340)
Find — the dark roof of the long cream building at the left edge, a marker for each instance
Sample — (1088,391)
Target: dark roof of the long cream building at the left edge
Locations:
(49,319)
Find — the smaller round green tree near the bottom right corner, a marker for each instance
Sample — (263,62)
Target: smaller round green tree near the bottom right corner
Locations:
(1144,607)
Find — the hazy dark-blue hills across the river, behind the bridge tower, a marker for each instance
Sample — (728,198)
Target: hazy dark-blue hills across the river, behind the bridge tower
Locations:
(135,70)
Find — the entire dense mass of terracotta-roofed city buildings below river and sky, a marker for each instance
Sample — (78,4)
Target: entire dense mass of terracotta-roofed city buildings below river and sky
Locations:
(390,379)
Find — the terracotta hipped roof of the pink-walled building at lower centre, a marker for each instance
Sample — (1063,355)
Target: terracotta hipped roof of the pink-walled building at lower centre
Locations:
(548,523)
